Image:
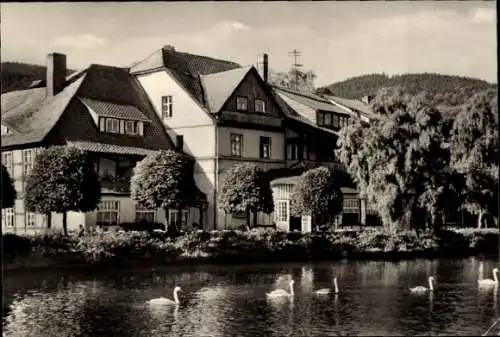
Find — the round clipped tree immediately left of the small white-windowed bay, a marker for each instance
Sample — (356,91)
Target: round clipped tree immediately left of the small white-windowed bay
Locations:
(246,189)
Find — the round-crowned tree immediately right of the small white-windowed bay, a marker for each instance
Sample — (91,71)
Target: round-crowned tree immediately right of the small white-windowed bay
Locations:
(318,194)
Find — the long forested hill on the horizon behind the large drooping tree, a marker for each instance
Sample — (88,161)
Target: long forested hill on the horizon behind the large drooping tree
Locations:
(433,84)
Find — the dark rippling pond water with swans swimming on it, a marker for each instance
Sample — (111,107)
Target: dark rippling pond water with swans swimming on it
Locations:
(374,299)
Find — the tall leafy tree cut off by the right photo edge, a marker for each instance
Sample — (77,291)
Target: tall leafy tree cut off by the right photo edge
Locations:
(474,152)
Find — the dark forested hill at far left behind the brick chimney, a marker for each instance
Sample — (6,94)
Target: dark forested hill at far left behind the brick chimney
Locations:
(18,76)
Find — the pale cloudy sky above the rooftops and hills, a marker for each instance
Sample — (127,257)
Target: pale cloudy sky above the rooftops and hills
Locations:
(337,40)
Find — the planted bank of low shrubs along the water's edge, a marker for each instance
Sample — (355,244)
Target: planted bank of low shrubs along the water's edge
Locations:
(128,249)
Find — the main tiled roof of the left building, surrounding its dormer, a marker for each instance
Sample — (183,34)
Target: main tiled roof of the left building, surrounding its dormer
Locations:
(32,115)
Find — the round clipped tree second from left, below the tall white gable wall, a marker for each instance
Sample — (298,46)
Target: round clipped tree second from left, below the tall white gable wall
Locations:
(164,179)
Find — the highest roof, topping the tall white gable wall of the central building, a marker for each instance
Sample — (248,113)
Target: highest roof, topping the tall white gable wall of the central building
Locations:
(186,68)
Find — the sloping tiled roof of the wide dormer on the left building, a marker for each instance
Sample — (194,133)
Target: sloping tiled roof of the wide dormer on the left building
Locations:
(114,110)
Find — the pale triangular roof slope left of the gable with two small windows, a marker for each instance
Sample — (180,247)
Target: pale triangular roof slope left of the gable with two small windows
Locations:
(218,87)
